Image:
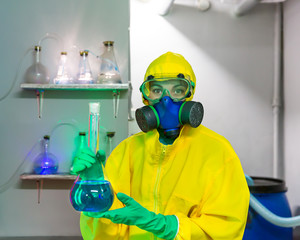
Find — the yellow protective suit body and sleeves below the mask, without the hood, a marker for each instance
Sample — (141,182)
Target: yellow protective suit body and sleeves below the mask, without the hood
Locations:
(198,178)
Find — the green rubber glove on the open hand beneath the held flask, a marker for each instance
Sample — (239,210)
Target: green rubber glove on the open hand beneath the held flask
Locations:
(163,226)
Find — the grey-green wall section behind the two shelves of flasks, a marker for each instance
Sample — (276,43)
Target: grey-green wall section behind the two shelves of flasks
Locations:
(85,24)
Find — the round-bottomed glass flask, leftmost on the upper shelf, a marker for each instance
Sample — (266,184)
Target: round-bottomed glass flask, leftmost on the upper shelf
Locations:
(37,72)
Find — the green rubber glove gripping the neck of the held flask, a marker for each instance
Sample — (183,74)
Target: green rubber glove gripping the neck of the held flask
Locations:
(87,164)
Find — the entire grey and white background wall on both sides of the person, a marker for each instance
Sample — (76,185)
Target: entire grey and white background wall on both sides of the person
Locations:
(232,59)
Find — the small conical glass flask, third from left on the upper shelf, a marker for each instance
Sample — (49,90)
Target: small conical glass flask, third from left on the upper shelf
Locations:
(84,75)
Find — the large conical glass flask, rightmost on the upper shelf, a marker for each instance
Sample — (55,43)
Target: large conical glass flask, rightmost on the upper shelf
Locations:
(109,71)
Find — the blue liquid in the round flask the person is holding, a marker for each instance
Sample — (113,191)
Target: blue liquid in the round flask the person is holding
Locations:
(92,196)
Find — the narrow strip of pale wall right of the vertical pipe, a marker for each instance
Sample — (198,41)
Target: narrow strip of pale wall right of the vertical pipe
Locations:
(292,101)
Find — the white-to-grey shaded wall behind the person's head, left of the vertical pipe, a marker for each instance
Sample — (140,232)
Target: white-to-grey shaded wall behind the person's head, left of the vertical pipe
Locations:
(233,62)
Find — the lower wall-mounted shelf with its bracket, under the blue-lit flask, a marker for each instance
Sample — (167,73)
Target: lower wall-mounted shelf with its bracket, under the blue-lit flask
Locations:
(40,179)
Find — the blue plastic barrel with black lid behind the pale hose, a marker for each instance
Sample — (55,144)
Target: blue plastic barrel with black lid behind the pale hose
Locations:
(271,193)
